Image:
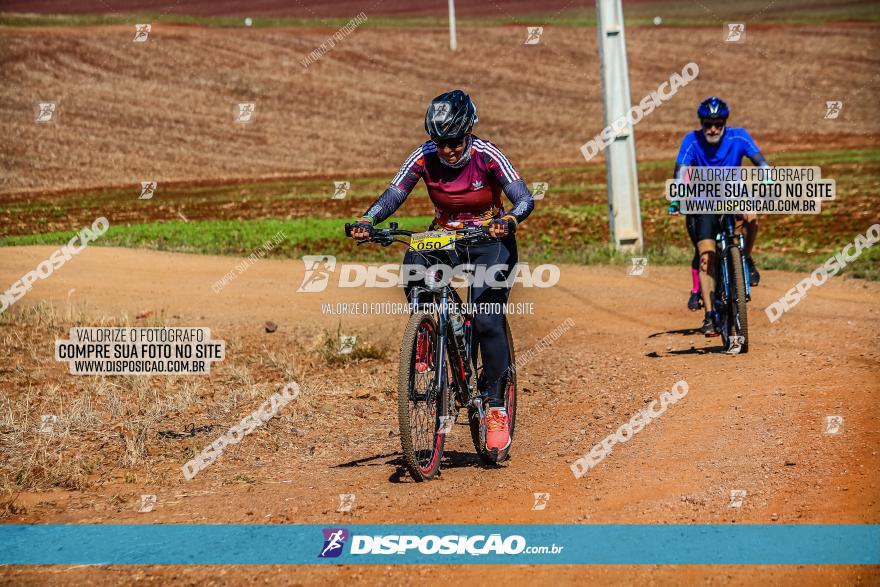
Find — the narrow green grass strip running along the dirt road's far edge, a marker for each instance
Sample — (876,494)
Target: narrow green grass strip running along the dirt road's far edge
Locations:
(238,238)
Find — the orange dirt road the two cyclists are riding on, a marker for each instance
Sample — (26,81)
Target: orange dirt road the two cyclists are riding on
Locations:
(753,422)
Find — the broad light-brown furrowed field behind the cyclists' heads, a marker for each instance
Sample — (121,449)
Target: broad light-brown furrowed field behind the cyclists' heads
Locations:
(163,110)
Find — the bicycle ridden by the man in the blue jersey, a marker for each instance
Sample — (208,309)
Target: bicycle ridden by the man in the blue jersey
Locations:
(732,289)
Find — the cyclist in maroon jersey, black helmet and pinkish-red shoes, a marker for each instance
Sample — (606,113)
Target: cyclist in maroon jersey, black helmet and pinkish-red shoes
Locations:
(465,176)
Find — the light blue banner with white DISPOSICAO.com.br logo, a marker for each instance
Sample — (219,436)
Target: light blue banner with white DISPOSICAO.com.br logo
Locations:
(616,544)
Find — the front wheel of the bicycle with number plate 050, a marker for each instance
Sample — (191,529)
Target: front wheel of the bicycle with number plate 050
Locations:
(420,405)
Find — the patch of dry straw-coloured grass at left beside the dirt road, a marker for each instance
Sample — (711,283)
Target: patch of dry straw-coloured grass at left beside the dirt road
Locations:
(107,427)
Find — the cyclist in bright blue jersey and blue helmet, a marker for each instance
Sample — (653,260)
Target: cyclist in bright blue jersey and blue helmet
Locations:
(714,145)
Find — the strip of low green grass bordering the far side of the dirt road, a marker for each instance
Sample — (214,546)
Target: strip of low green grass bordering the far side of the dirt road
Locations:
(325,236)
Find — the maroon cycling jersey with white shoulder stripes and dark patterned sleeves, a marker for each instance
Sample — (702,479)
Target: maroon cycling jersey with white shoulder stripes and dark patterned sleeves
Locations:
(465,193)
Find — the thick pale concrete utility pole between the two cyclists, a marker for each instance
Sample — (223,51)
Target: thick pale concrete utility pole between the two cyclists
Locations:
(620,156)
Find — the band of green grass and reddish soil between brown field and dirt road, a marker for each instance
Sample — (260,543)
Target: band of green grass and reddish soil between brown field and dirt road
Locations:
(569,226)
